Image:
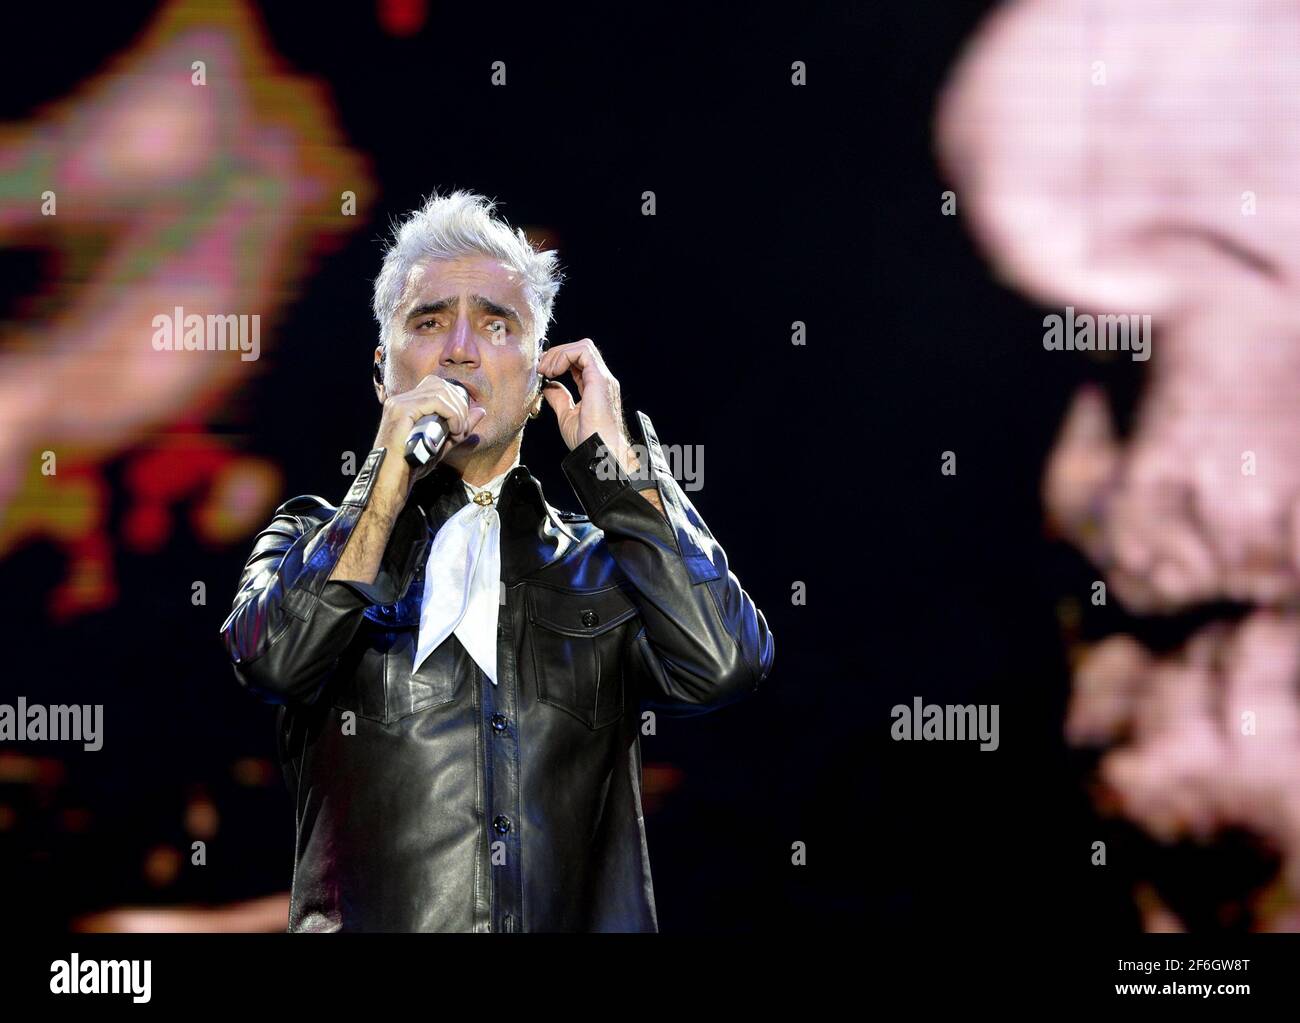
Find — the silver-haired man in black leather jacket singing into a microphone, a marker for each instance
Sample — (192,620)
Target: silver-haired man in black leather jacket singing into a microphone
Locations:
(462,669)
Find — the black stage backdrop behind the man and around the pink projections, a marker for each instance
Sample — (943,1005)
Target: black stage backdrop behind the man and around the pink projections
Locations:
(822,465)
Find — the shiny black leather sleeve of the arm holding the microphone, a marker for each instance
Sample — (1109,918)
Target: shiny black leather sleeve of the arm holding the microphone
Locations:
(291,625)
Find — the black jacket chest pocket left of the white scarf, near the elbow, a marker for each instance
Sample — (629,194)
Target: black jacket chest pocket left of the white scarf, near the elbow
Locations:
(375,677)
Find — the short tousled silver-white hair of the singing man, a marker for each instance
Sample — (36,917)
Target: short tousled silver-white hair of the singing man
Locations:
(462,224)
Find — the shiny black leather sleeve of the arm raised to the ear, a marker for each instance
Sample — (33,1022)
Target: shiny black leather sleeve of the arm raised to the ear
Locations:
(704,643)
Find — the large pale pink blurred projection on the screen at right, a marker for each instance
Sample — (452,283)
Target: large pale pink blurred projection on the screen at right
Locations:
(1141,158)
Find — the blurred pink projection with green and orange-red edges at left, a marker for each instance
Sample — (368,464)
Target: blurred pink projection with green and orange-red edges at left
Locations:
(193,174)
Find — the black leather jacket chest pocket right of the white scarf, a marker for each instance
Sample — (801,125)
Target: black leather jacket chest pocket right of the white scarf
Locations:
(575,651)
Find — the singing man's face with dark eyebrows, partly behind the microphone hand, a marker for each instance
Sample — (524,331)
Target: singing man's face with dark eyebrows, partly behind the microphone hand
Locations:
(467,320)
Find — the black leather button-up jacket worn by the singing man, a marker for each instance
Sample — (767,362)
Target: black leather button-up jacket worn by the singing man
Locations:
(444,803)
